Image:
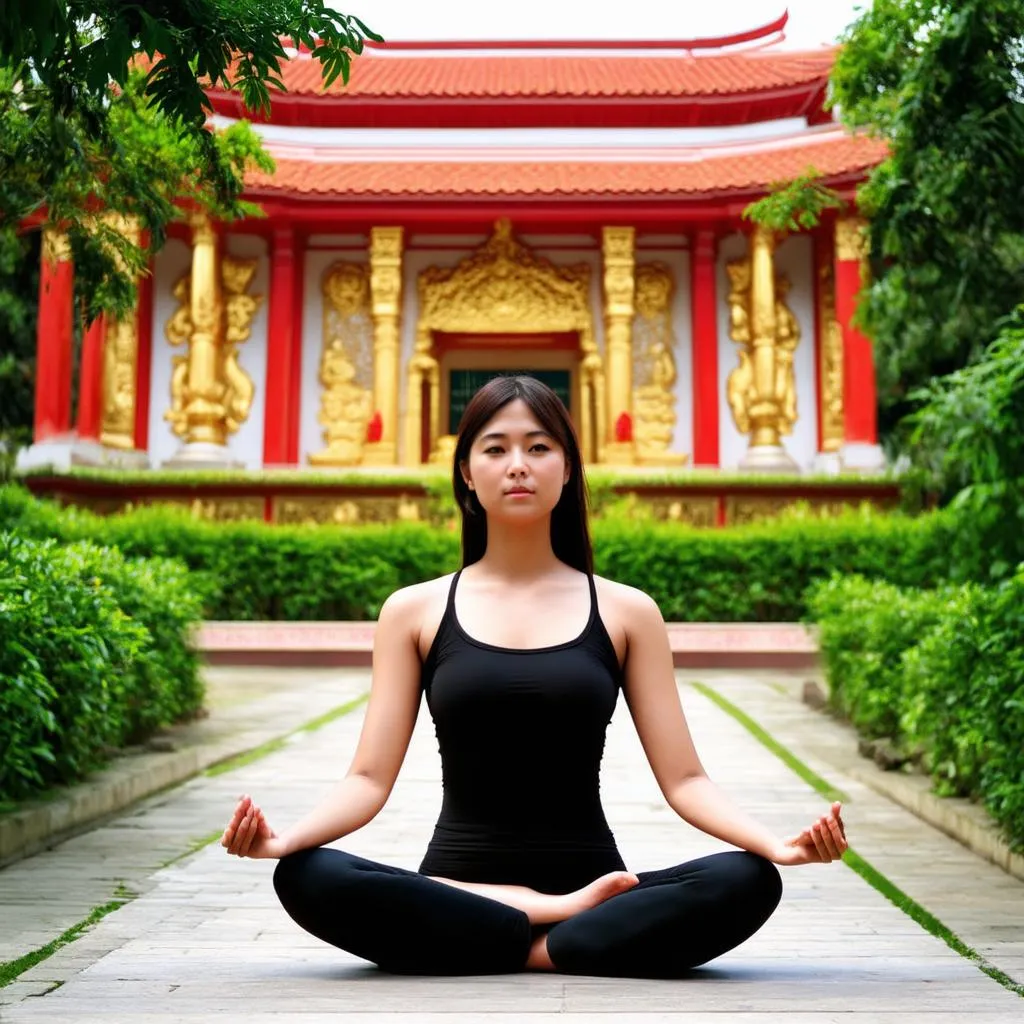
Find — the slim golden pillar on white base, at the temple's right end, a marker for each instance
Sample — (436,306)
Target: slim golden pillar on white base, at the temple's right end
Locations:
(766,413)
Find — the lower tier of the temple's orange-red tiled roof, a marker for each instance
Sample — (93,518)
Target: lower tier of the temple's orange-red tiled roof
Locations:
(833,156)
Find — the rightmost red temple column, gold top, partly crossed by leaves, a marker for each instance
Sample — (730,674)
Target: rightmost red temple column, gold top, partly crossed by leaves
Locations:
(861,405)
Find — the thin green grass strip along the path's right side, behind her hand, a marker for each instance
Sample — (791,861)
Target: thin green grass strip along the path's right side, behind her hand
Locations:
(869,873)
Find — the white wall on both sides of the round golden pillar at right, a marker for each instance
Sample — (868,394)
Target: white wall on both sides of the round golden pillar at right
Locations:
(795,259)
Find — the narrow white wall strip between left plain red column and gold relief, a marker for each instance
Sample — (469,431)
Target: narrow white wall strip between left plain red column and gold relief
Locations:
(320,254)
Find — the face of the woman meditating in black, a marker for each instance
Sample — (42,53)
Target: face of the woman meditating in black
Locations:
(516,467)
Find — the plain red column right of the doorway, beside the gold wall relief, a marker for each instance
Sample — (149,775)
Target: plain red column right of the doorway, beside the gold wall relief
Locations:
(705,328)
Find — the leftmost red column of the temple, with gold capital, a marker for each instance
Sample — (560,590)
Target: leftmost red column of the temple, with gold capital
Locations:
(55,335)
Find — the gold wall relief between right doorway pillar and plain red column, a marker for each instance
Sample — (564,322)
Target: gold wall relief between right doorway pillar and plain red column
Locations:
(655,367)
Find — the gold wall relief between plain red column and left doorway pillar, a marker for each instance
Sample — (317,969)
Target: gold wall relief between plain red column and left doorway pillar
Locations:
(347,366)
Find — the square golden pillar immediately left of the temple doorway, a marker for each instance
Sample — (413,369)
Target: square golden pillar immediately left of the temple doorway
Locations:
(386,288)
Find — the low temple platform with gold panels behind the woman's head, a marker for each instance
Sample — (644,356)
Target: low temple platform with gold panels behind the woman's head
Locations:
(707,499)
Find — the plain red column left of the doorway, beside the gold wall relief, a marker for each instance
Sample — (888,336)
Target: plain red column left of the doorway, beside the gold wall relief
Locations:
(280,346)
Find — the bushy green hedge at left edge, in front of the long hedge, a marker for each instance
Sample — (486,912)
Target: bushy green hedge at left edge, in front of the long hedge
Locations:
(95,654)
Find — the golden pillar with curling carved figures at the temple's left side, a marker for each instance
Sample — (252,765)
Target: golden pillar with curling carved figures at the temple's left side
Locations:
(211,394)
